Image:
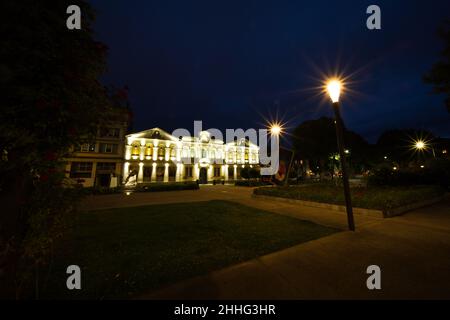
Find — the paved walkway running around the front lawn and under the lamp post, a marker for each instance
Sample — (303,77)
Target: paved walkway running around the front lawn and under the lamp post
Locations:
(413,252)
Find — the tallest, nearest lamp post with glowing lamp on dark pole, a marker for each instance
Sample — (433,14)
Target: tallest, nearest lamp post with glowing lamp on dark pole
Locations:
(334,90)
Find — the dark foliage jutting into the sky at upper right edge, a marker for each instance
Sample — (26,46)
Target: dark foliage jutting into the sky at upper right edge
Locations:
(439,75)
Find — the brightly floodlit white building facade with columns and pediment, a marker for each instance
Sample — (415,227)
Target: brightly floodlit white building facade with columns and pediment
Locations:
(156,156)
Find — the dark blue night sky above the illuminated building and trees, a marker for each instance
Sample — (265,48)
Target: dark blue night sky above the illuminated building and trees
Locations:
(233,64)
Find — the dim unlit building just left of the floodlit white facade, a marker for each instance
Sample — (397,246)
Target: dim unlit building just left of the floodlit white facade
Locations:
(100,162)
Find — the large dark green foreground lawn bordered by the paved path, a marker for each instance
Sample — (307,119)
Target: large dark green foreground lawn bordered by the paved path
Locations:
(128,251)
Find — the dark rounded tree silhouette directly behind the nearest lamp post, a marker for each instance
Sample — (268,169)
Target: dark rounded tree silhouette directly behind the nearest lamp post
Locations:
(316,141)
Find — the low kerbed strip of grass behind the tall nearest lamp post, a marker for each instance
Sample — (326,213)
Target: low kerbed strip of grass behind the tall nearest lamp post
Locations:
(380,198)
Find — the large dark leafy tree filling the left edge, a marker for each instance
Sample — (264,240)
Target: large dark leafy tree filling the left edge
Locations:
(51,100)
